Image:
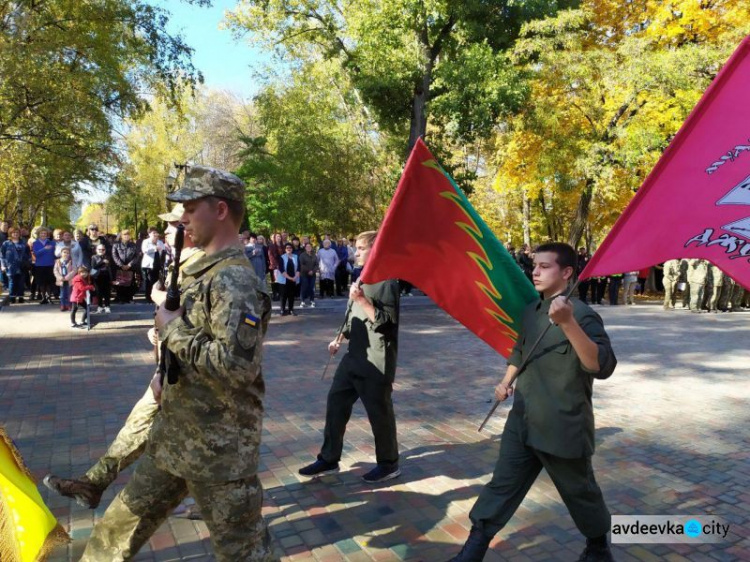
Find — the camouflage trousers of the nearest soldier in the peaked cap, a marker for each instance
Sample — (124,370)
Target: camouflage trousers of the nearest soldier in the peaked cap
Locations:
(231,511)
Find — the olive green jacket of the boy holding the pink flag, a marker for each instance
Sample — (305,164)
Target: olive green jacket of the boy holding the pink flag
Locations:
(553,393)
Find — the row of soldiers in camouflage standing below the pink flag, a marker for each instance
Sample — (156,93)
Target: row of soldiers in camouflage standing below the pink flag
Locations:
(706,287)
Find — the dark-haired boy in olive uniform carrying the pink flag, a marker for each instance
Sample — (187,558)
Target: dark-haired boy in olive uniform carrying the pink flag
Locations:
(551,424)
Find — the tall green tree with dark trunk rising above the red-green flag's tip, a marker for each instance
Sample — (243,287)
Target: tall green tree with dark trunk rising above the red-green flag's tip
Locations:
(411,60)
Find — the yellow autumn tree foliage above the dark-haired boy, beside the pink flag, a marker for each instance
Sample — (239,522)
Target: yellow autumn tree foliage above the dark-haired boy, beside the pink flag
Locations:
(604,103)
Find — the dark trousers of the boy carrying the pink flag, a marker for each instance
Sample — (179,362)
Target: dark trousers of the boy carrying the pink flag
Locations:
(517,469)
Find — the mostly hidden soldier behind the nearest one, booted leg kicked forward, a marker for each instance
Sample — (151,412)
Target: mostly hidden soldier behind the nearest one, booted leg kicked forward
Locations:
(131,440)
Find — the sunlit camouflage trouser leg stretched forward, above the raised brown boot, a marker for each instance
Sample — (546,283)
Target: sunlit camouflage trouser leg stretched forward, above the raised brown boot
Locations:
(129,443)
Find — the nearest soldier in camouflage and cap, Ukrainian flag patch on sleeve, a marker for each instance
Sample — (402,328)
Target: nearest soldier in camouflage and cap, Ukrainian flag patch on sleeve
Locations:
(205,438)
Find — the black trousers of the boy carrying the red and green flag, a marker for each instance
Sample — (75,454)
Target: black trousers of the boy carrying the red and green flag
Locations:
(375,392)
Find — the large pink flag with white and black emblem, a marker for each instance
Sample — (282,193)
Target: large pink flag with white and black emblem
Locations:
(696,201)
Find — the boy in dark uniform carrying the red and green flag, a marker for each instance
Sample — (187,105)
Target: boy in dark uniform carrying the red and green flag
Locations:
(366,372)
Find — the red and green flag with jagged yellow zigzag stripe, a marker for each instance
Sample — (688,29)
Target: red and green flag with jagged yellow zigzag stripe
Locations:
(432,237)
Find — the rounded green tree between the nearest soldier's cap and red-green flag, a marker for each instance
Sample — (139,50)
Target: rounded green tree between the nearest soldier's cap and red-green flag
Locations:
(317,166)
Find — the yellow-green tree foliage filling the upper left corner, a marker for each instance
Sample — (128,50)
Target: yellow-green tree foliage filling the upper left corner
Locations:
(70,71)
